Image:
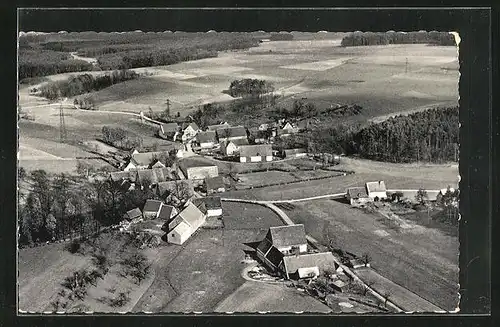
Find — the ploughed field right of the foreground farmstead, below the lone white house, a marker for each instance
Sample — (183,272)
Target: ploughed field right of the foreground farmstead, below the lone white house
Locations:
(422,259)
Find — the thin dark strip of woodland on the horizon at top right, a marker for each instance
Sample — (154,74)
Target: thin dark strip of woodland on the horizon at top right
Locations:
(381,38)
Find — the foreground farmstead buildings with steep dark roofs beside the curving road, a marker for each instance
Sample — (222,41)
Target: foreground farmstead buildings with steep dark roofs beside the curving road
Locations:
(284,250)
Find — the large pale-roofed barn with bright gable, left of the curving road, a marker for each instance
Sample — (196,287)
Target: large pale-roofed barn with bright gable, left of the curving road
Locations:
(185,224)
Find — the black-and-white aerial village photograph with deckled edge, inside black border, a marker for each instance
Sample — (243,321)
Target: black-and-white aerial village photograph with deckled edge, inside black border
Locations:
(238,172)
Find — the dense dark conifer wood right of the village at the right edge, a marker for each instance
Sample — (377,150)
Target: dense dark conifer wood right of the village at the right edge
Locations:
(428,136)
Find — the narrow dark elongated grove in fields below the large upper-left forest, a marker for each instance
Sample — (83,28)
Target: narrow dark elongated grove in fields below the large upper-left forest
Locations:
(84,83)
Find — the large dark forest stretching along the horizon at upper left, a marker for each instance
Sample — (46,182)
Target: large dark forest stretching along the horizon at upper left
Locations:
(41,55)
